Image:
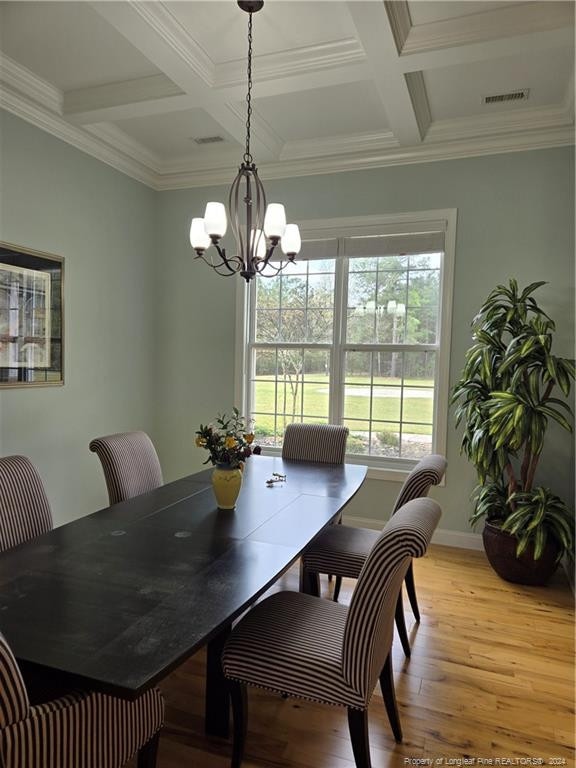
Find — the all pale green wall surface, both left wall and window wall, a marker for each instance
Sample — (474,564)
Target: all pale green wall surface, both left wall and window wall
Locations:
(150,332)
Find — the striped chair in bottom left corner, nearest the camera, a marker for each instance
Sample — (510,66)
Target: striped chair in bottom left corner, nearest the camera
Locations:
(77,730)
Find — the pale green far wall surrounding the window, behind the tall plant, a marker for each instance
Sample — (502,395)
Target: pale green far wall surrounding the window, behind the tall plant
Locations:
(515,218)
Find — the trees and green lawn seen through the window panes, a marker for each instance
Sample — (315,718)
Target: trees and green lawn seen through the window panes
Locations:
(367,360)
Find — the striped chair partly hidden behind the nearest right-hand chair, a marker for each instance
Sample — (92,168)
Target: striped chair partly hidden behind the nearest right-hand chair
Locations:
(343,550)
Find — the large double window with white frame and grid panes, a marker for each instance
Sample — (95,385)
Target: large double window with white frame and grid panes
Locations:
(356,332)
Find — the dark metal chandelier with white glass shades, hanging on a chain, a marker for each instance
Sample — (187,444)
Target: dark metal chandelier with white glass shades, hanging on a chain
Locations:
(257,228)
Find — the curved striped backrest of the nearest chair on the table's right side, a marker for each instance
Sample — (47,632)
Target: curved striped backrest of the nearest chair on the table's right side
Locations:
(370,623)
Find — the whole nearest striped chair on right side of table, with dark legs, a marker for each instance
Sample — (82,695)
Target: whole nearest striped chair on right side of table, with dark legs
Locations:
(299,645)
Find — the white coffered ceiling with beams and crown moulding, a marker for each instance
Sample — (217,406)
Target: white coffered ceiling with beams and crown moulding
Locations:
(337,85)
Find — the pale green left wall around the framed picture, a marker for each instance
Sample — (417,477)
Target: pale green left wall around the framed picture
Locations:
(55,198)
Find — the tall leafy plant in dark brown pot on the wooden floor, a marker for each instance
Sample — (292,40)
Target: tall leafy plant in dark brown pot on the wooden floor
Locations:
(505,399)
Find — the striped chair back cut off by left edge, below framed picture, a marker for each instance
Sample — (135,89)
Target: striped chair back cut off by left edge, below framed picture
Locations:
(24,507)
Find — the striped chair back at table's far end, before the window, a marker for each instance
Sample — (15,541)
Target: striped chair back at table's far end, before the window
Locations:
(324,443)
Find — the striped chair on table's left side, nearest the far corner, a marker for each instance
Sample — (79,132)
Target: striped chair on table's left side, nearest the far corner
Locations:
(130,464)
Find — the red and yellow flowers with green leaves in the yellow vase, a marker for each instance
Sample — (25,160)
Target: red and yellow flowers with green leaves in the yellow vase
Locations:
(229,442)
